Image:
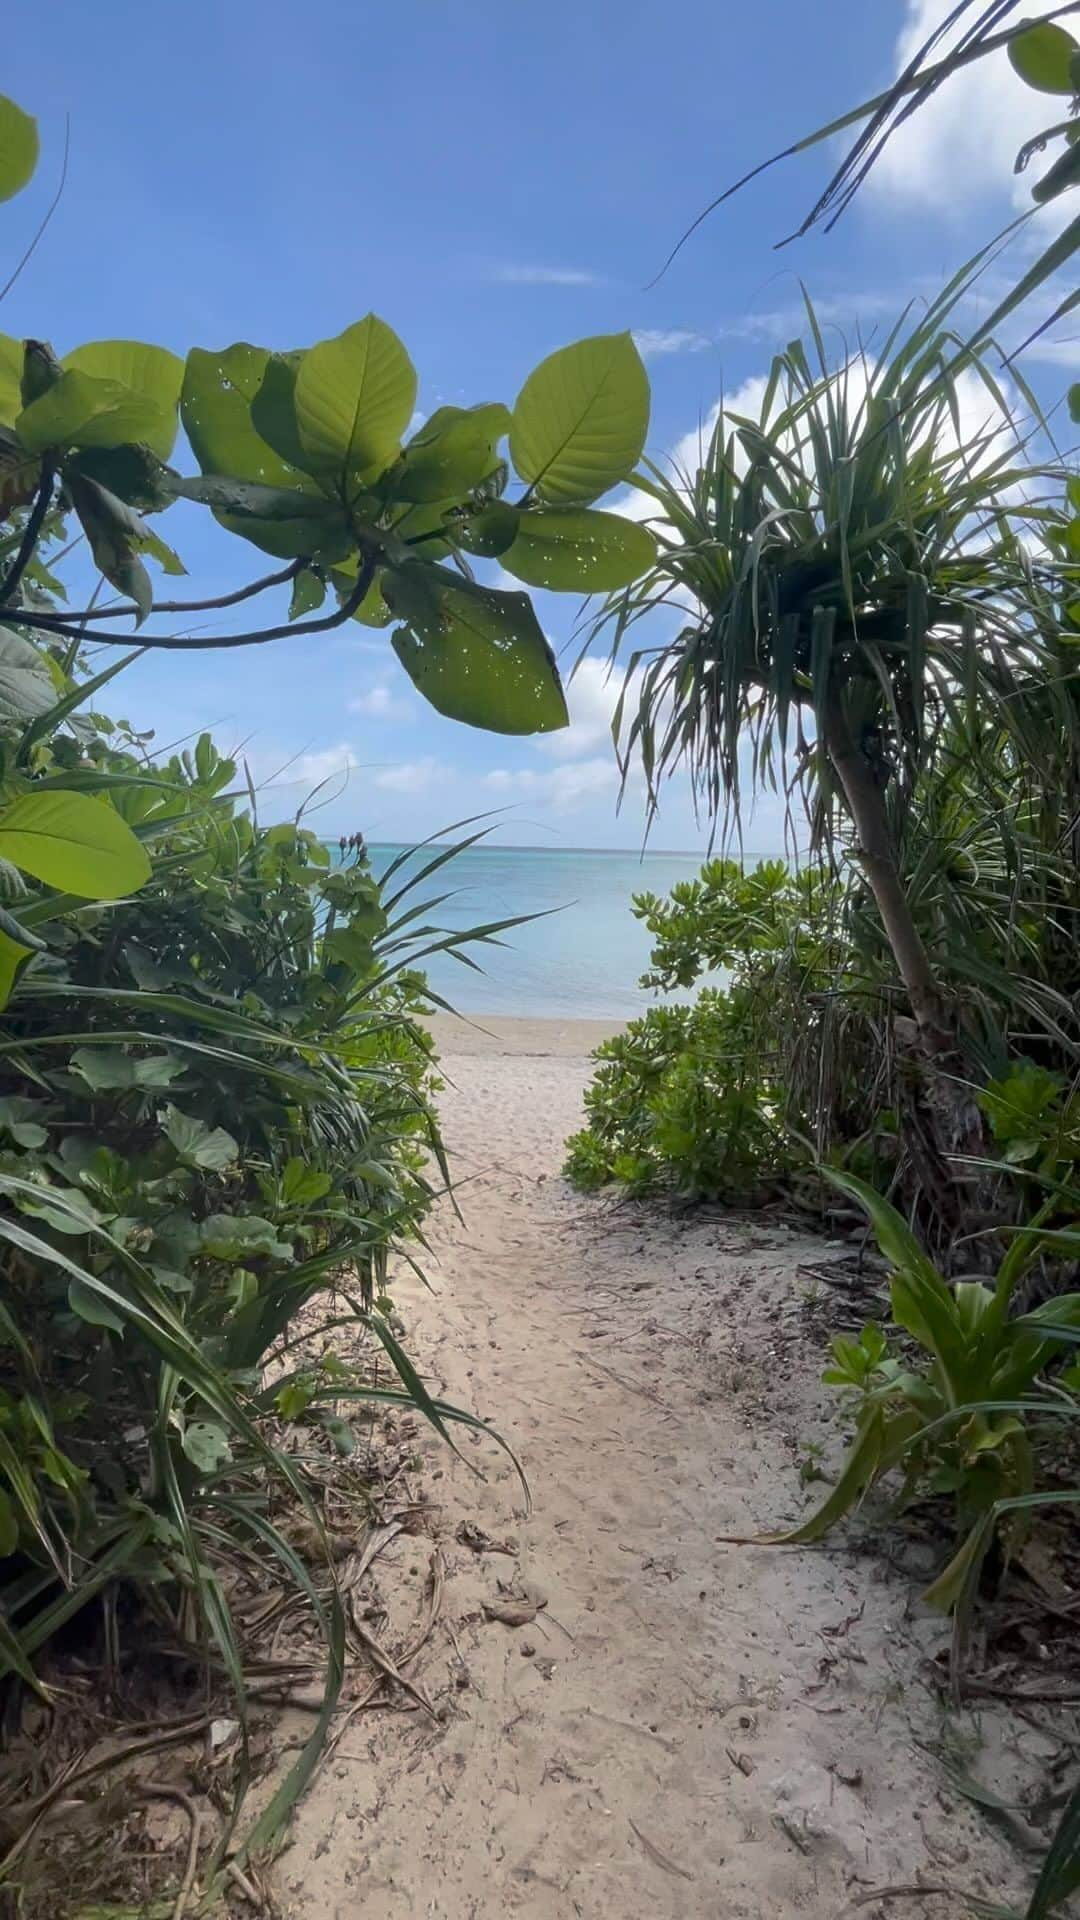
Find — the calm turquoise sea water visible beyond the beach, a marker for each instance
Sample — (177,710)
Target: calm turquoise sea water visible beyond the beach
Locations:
(581,961)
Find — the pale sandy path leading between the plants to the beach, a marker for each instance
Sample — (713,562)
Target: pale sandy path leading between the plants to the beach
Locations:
(687,1729)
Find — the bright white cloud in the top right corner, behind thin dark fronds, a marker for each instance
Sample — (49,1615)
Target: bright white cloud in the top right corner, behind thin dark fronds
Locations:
(962,145)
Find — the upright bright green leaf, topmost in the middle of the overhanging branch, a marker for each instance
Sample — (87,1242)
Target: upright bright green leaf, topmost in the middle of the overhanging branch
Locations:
(355,398)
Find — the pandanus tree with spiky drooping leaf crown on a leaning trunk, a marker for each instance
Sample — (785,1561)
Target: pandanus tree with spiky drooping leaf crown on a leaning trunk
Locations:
(856,583)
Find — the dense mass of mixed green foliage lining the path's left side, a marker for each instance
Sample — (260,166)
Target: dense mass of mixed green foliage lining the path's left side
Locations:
(216,1126)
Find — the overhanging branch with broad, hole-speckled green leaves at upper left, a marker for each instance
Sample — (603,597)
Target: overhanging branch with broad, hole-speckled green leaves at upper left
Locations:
(303,456)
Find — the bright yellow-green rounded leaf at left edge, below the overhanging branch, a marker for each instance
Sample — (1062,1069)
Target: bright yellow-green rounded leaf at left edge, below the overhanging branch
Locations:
(76,844)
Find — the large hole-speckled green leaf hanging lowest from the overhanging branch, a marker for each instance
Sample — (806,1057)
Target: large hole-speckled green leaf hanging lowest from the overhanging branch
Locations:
(478,656)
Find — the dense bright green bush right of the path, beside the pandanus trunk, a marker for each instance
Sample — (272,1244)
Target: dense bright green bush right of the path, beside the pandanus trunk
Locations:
(739,1092)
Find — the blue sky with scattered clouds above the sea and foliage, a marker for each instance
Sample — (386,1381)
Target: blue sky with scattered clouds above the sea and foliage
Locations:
(495,181)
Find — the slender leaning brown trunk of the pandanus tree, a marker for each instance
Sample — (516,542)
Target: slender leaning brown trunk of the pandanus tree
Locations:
(948,1120)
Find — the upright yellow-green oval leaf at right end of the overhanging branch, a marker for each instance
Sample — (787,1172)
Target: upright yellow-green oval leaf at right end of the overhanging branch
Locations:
(581,420)
